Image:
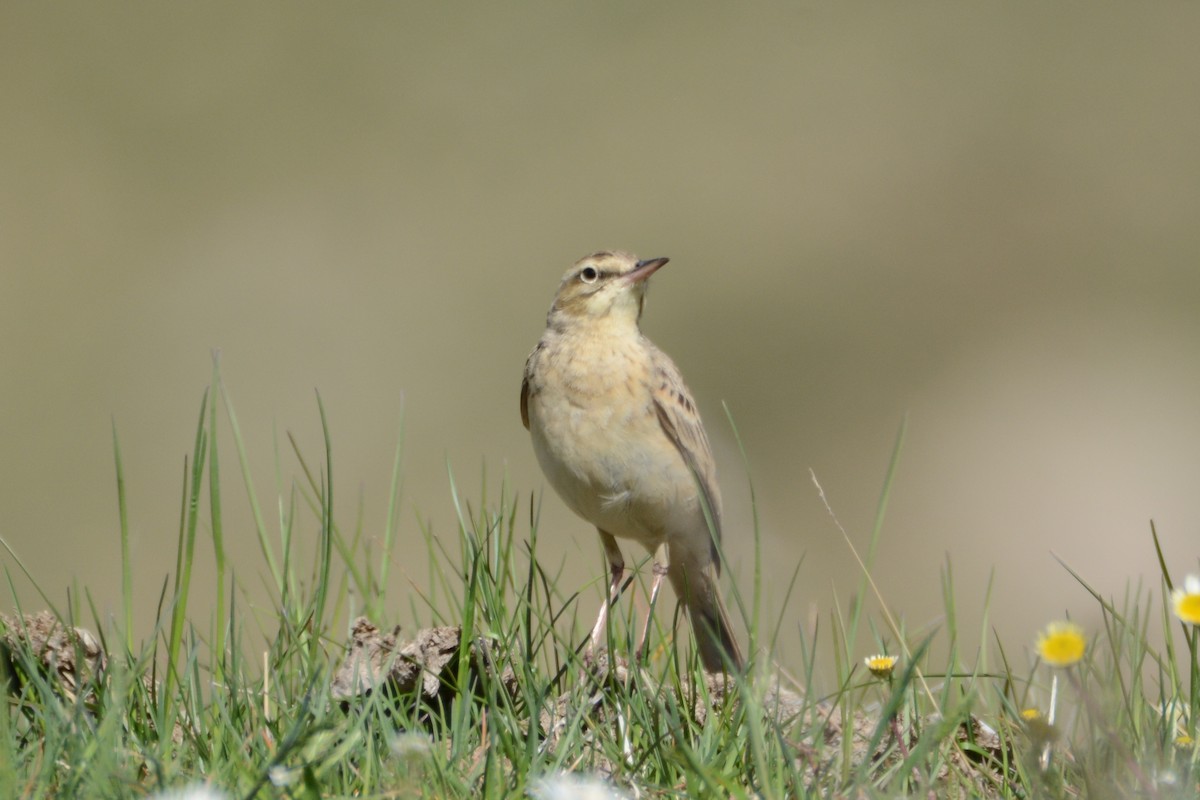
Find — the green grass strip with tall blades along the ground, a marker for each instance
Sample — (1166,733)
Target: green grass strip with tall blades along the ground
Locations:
(193,702)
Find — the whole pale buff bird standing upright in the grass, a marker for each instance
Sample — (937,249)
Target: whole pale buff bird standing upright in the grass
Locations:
(619,436)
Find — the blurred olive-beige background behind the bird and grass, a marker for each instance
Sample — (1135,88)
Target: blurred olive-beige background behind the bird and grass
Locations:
(985,219)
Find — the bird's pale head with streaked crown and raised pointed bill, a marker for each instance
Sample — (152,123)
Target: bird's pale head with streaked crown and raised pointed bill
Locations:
(604,286)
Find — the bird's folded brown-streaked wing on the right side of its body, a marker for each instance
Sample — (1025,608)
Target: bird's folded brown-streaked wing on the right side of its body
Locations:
(681,422)
